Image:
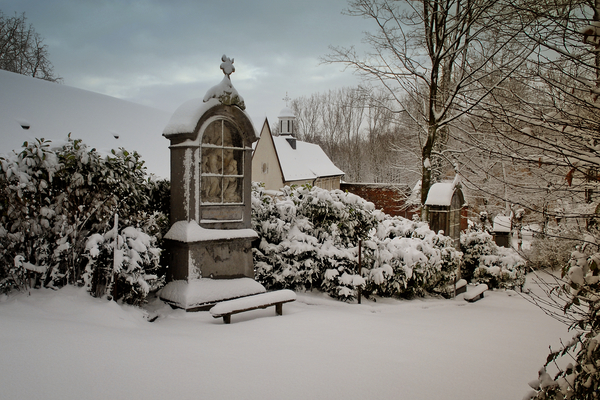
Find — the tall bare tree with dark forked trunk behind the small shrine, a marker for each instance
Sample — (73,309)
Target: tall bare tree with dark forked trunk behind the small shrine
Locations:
(432,53)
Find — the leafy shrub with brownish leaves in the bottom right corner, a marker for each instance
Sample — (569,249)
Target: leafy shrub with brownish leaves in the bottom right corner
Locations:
(580,290)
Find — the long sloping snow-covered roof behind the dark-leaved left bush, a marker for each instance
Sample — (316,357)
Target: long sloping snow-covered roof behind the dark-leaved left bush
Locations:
(52,111)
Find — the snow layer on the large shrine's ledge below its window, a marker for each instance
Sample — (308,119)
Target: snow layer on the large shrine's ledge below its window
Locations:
(188,232)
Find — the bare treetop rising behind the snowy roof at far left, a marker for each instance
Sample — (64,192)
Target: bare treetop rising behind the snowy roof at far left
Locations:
(22,49)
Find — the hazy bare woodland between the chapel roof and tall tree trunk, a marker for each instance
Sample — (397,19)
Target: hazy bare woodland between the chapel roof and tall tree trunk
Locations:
(357,130)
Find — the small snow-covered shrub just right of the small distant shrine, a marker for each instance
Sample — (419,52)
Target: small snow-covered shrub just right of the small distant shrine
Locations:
(486,262)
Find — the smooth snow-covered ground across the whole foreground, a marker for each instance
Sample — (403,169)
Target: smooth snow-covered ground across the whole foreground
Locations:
(67,345)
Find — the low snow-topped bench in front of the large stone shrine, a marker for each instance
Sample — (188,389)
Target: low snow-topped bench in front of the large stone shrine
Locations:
(226,308)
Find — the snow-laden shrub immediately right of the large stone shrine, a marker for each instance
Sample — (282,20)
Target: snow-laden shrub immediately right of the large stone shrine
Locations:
(308,239)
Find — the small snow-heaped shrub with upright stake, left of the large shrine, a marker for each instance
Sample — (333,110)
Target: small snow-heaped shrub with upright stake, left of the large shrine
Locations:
(125,265)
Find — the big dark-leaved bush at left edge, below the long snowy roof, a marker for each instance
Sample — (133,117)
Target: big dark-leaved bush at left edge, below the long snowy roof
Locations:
(52,198)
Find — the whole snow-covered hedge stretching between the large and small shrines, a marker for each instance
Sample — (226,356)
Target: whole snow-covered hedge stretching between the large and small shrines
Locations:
(309,239)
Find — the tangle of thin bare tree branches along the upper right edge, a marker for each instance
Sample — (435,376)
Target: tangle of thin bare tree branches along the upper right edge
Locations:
(543,123)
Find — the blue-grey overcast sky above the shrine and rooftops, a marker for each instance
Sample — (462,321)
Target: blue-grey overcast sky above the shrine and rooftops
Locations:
(162,53)
